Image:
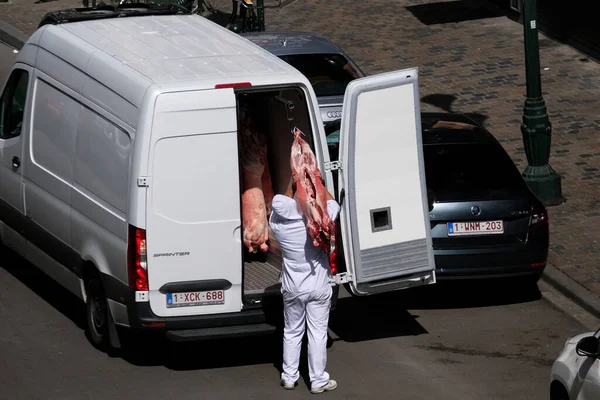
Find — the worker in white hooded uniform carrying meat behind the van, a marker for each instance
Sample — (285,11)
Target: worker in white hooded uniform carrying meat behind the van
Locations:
(306,291)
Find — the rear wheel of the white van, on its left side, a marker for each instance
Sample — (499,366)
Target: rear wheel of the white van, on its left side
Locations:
(96,314)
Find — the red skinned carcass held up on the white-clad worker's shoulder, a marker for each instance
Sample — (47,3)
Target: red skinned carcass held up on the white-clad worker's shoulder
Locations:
(311,195)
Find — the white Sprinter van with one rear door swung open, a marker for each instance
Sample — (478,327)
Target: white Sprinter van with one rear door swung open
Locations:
(120,176)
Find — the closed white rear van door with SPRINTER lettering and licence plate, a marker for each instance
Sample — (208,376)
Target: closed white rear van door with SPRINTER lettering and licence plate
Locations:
(193,205)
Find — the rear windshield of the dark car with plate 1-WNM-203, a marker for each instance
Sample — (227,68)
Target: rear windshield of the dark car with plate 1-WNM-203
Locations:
(458,172)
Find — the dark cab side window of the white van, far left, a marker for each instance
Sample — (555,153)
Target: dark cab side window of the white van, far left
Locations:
(12,104)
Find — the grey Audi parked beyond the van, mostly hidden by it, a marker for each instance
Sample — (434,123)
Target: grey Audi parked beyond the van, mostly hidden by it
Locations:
(325,65)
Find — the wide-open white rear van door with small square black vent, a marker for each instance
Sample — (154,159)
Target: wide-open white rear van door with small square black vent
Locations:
(382,187)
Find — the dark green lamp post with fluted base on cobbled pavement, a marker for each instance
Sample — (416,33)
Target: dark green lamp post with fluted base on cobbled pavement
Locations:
(536,127)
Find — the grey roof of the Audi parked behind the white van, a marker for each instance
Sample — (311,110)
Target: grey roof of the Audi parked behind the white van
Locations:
(288,43)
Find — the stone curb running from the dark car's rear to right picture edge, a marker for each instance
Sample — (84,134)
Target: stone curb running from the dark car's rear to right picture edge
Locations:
(572,290)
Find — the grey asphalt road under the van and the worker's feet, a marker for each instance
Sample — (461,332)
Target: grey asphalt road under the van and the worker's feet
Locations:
(449,342)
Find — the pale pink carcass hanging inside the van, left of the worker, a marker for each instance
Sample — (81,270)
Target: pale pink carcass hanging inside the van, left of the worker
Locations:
(253,156)
